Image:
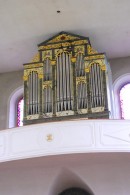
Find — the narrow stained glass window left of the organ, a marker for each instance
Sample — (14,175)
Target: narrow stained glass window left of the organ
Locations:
(20,112)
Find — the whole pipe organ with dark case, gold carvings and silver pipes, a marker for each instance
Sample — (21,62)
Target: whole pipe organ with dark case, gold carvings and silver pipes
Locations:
(67,79)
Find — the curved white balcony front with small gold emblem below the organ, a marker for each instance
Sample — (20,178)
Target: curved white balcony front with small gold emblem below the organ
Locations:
(67,137)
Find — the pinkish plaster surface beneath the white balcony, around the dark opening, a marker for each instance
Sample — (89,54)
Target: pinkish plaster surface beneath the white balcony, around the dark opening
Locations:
(102,173)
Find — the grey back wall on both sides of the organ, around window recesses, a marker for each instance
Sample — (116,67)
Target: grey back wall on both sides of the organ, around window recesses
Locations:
(10,81)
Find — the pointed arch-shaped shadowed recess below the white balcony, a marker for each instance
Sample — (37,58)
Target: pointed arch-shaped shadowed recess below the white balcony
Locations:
(67,180)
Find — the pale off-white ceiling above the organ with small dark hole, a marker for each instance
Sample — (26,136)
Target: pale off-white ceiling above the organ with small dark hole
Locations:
(26,23)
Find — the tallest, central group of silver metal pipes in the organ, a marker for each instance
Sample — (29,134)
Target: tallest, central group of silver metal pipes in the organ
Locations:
(64,83)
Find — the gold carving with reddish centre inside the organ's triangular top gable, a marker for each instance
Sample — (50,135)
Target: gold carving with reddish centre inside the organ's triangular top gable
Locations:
(63,37)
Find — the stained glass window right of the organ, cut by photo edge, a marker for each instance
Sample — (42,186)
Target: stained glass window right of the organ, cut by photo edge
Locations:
(125,101)
